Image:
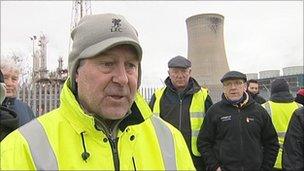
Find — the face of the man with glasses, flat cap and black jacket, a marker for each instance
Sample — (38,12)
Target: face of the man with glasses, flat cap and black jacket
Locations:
(234,89)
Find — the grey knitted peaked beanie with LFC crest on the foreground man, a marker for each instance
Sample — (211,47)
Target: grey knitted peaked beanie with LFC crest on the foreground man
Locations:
(97,33)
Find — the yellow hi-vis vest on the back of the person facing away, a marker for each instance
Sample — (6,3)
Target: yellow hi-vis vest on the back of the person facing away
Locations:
(280,114)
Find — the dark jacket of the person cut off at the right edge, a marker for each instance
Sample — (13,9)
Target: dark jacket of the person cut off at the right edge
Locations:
(293,153)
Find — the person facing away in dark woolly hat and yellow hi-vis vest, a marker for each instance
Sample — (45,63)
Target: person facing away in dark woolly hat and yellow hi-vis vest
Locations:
(280,107)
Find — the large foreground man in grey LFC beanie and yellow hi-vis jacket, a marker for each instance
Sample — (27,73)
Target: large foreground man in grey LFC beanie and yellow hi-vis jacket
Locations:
(102,122)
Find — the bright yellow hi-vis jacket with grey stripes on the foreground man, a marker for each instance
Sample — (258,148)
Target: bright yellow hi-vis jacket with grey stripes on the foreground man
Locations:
(59,140)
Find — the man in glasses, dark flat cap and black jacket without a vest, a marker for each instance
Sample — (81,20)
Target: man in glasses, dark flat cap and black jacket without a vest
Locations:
(237,133)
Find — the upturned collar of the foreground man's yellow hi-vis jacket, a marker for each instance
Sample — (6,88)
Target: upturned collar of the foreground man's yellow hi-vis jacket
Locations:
(84,122)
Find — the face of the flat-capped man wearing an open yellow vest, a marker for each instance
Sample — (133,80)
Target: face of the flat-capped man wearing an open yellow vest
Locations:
(179,77)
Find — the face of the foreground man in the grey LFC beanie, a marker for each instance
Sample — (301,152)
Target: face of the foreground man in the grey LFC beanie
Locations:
(107,83)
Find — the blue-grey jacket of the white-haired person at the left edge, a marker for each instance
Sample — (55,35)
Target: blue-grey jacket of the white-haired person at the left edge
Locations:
(24,112)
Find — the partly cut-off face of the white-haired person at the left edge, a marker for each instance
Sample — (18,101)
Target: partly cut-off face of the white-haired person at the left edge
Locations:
(11,80)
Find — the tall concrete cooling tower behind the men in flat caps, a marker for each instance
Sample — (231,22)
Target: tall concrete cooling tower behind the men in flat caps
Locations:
(206,51)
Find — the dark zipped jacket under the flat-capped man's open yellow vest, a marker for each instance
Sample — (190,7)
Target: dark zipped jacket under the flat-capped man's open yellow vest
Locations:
(172,102)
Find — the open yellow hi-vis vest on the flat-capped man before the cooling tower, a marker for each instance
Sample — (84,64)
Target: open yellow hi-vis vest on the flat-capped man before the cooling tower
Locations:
(197,113)
